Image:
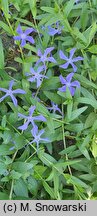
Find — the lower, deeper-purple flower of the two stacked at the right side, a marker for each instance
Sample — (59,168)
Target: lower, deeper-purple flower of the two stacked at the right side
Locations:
(68,84)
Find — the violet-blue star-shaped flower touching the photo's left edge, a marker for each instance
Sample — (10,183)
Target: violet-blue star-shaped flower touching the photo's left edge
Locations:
(10,92)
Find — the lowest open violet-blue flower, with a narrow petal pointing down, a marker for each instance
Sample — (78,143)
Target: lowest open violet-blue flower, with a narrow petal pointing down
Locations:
(37,137)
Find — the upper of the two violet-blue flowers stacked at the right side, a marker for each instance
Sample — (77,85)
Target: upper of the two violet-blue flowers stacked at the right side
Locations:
(70,60)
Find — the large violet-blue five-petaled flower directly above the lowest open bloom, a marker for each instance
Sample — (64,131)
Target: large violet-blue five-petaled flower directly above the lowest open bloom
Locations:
(30,119)
